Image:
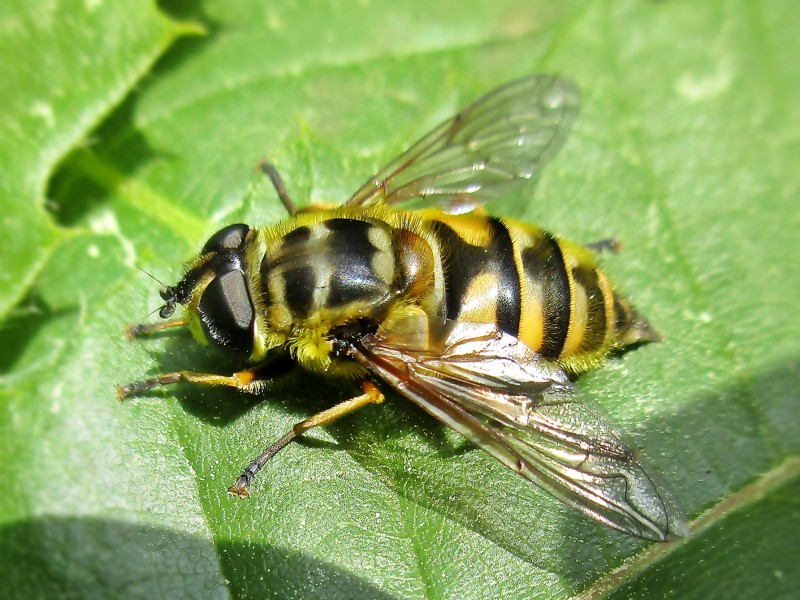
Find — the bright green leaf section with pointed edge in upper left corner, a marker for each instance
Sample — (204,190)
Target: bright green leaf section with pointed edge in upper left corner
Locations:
(65,66)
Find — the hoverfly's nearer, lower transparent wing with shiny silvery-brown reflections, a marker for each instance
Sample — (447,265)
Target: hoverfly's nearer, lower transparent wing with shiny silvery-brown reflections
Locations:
(522,410)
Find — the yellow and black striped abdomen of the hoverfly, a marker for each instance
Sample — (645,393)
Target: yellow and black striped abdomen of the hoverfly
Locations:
(547,292)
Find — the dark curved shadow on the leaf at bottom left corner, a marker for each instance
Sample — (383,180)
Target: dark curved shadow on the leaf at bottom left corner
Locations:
(71,557)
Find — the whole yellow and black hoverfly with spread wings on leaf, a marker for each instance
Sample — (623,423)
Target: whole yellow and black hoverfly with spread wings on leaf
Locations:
(479,320)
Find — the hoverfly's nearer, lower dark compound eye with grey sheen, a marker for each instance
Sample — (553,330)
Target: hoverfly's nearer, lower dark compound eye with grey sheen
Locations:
(227,313)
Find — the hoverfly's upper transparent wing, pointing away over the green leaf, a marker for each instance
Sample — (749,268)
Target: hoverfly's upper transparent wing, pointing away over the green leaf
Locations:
(499,140)
